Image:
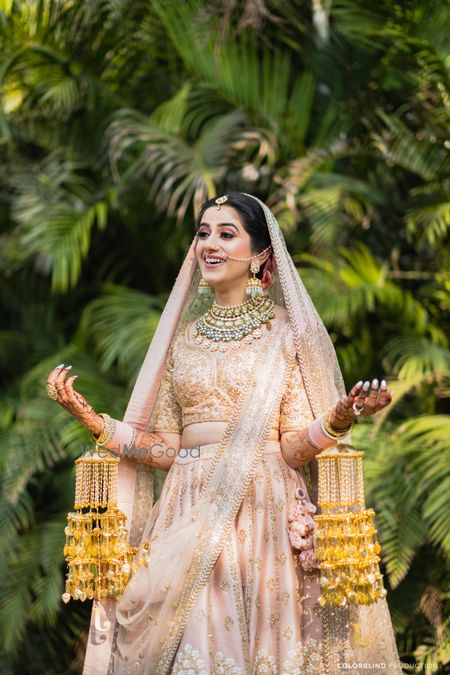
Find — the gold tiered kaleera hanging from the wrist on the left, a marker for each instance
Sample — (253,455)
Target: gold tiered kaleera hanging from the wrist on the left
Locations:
(97,551)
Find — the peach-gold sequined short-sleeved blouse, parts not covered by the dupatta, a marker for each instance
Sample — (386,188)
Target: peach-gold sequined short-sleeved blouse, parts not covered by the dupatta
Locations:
(202,386)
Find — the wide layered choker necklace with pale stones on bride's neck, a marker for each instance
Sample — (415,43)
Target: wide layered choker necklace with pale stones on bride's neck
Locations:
(222,328)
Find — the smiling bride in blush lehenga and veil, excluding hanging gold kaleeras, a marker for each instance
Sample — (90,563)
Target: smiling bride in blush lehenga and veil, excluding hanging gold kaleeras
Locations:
(238,393)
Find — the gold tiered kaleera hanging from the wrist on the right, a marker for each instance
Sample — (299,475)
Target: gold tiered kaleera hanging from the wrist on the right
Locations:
(345,536)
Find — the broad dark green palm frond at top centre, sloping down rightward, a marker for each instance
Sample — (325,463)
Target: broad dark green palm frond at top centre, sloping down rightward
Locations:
(244,73)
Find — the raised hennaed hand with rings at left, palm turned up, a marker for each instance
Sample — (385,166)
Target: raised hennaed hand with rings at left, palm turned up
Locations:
(72,401)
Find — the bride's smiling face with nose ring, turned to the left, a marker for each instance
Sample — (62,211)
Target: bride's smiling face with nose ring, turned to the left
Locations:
(220,234)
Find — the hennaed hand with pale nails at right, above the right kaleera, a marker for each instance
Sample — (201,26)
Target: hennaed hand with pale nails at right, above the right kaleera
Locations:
(368,398)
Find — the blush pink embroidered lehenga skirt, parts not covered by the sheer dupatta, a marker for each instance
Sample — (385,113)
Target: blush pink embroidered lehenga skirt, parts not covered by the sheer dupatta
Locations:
(256,613)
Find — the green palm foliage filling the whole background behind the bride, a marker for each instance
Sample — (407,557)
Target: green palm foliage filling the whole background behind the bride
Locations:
(117,119)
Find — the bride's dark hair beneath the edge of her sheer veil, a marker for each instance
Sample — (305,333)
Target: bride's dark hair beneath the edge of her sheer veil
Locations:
(253,221)
